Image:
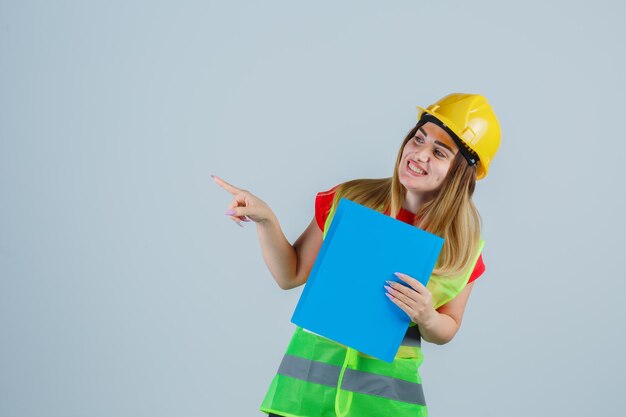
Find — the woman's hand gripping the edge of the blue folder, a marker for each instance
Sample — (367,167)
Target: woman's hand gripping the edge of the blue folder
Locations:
(415,301)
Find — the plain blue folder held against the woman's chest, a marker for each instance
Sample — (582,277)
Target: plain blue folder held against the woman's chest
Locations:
(344,297)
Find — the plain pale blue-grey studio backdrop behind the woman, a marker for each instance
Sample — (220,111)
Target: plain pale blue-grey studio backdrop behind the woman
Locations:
(125,291)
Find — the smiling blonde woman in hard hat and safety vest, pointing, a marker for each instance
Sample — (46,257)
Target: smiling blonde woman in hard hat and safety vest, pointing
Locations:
(432,185)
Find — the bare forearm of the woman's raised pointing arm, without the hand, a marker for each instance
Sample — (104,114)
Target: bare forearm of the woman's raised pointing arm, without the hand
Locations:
(279,255)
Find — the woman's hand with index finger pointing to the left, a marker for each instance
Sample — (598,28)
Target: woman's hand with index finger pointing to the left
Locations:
(245,206)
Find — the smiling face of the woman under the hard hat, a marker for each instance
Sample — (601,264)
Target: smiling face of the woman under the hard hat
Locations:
(426,158)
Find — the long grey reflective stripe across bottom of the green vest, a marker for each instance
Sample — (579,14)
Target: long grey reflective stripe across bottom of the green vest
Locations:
(353,380)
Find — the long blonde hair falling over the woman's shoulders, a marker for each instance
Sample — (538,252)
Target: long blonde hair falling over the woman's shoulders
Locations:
(451,214)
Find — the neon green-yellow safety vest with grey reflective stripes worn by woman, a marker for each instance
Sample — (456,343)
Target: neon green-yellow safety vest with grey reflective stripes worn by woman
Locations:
(321,378)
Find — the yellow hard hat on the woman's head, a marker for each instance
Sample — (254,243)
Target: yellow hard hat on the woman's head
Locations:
(473,121)
